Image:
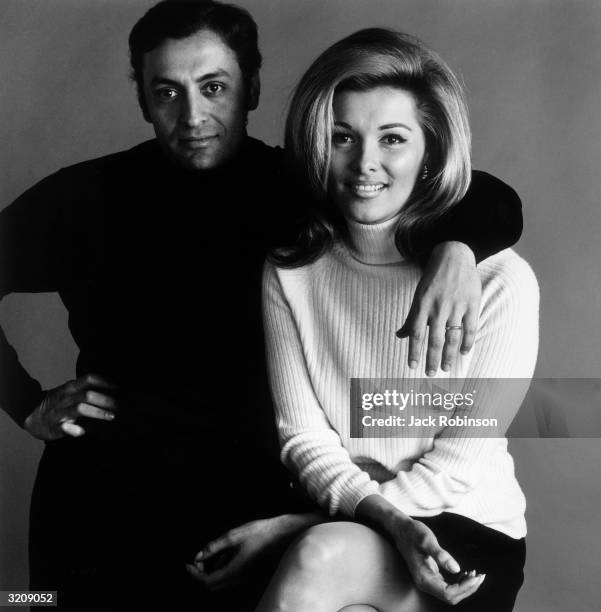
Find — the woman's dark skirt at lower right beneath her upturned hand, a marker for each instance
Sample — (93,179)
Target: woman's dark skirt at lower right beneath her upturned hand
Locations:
(488,551)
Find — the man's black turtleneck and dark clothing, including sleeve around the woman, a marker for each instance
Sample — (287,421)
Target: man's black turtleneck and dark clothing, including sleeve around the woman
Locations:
(159,268)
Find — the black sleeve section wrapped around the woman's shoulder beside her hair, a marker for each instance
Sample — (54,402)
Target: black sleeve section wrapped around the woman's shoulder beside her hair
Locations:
(488,219)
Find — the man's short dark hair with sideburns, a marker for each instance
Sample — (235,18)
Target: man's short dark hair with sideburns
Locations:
(179,19)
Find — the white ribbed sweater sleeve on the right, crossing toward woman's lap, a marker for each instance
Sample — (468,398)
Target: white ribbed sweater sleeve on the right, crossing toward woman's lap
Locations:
(505,348)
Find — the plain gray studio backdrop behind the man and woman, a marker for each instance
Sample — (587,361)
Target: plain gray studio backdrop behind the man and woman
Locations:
(532,71)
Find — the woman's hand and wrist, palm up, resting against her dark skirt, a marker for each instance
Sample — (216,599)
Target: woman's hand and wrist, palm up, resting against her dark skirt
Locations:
(426,561)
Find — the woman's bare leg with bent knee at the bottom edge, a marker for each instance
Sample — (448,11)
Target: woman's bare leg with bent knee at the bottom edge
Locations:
(335,565)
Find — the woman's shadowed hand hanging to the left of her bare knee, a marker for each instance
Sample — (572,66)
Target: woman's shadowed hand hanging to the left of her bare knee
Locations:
(222,562)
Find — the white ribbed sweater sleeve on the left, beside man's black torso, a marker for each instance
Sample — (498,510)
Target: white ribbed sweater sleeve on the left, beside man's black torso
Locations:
(310,446)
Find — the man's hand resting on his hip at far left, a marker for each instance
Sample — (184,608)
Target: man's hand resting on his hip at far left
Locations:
(56,416)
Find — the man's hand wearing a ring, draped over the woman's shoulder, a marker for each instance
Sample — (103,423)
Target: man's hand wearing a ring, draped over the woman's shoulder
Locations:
(448,296)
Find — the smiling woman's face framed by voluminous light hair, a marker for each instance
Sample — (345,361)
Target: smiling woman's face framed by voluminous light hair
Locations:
(377,153)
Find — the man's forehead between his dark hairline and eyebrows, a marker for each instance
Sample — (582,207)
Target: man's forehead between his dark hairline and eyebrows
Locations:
(202,52)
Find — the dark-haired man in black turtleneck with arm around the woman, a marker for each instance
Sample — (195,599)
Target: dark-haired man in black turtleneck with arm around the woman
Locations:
(165,440)
